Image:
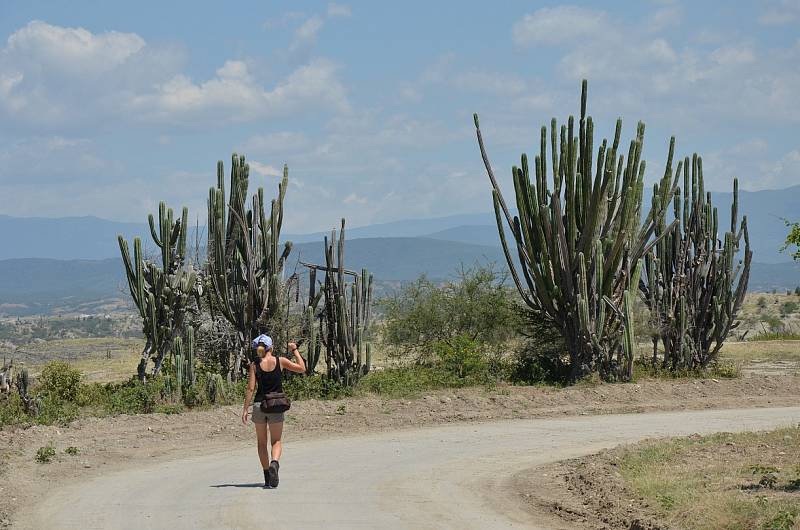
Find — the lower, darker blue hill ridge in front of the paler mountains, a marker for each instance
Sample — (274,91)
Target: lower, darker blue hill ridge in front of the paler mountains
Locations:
(44,286)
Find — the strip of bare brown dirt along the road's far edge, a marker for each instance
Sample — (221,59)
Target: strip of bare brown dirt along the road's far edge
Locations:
(108,445)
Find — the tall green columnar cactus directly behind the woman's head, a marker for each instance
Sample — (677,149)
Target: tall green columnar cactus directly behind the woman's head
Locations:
(244,259)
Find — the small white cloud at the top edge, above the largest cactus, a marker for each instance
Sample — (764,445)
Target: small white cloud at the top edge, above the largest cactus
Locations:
(559,25)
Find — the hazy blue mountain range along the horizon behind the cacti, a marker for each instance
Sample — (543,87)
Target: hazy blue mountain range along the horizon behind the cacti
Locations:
(72,264)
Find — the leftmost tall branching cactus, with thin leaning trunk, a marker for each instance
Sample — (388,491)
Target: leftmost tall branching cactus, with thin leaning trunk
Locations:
(162,295)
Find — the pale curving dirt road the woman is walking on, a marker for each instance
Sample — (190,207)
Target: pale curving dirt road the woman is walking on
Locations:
(455,476)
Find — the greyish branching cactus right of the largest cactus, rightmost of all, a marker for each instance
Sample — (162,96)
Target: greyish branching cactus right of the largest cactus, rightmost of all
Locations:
(695,283)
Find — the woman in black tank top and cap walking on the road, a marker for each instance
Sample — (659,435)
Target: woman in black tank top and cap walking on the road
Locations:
(265,378)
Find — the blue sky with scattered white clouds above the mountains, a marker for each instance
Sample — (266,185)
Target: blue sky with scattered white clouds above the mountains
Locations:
(108,107)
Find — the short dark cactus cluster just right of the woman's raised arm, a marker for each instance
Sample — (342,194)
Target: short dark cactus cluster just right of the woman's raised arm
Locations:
(343,321)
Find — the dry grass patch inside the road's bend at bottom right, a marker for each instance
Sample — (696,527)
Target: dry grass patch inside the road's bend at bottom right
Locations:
(713,481)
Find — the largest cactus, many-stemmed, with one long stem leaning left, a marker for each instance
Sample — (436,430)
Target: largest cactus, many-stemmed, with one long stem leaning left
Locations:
(579,241)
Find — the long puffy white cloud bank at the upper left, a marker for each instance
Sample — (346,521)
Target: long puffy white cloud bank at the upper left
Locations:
(65,78)
